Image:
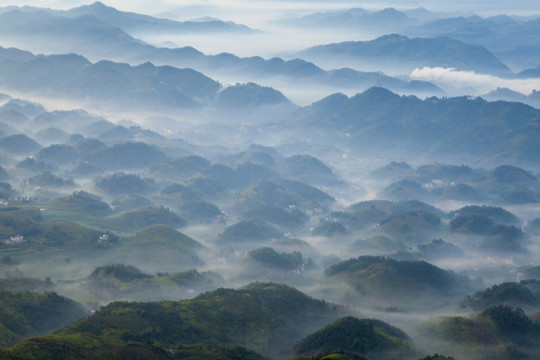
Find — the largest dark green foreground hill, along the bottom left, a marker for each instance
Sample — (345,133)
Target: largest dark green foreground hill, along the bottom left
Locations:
(265,317)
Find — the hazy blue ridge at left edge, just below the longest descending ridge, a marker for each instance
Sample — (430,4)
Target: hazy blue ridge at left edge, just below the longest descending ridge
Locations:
(119,84)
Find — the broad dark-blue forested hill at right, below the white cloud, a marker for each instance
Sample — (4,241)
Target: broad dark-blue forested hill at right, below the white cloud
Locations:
(378,120)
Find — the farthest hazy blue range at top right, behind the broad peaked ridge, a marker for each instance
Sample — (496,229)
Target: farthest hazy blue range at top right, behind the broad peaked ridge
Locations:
(511,38)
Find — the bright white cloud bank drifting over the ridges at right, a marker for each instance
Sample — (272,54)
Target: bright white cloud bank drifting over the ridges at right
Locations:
(481,83)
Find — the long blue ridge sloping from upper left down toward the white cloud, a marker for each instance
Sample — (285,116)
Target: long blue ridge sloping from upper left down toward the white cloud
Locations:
(97,39)
